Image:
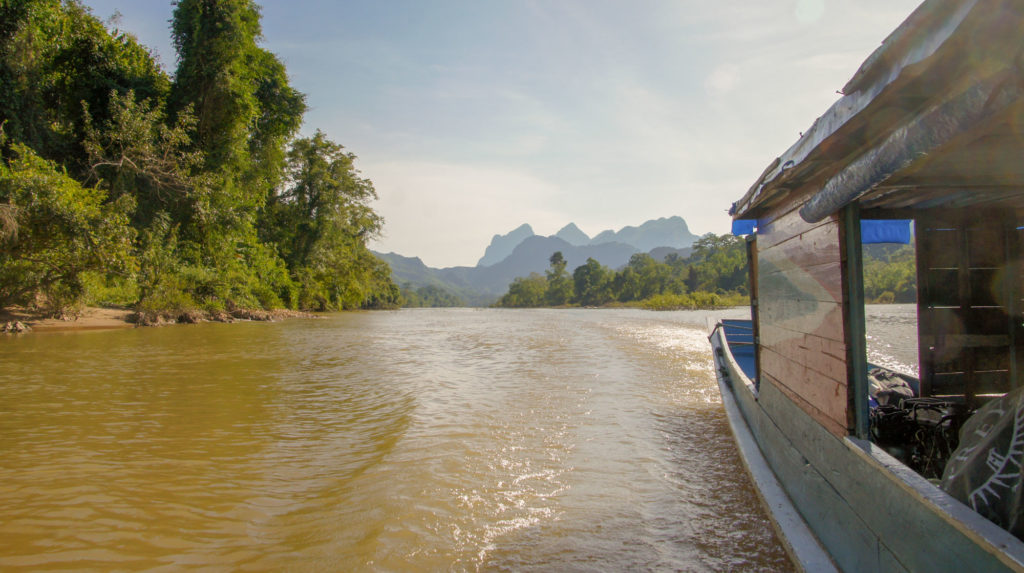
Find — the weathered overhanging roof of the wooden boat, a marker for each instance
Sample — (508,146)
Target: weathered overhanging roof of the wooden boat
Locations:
(933,119)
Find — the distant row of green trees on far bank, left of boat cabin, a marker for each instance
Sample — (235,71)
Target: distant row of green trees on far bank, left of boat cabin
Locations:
(715,275)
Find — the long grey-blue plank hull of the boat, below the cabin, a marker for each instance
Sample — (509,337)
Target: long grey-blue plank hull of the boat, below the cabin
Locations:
(868,511)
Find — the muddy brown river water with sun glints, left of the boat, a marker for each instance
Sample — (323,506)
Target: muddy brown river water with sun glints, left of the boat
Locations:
(414,442)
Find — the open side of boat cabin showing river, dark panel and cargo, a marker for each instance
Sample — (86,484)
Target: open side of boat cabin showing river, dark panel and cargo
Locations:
(955,294)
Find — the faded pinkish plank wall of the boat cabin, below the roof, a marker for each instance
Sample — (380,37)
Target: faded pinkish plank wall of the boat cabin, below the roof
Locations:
(803,352)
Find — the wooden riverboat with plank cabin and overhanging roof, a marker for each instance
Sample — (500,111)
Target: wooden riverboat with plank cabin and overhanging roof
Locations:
(925,147)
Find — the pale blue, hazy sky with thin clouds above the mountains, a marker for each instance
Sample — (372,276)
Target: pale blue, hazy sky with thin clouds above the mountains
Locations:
(474,117)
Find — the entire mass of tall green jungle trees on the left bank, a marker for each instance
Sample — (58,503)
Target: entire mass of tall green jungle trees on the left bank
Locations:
(119,184)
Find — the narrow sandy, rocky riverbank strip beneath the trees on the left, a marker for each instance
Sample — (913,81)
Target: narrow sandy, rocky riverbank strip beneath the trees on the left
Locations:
(97,319)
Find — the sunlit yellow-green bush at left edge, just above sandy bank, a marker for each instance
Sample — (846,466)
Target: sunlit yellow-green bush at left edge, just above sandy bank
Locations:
(63,231)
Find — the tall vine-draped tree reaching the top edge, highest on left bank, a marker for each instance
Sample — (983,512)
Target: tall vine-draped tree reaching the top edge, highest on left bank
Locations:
(245,108)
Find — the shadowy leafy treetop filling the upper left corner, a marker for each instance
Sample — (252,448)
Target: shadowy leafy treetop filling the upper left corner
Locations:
(55,58)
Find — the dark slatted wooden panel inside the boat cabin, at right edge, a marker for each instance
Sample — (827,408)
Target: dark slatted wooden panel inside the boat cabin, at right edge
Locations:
(969,287)
